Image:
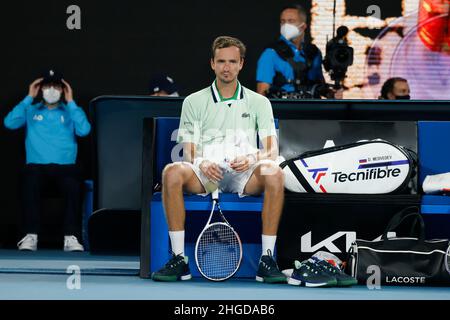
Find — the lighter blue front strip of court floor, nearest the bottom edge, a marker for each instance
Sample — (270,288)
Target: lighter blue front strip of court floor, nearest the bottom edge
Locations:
(53,286)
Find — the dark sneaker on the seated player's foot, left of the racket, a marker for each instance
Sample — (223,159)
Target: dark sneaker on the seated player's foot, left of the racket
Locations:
(177,268)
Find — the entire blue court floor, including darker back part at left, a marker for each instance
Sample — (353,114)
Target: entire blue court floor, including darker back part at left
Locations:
(43,275)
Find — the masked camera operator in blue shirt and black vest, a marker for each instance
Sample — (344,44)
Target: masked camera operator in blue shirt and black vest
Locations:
(292,67)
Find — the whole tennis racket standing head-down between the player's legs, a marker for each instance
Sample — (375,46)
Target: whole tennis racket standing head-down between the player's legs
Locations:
(218,250)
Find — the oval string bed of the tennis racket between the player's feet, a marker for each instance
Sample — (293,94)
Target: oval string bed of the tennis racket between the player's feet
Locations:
(218,252)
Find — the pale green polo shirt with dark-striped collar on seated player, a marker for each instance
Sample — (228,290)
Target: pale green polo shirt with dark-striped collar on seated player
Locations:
(214,124)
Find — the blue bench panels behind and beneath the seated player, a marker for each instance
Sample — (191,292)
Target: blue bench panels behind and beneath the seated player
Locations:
(434,155)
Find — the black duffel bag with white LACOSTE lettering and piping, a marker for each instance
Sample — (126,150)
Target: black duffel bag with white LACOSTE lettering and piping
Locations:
(402,260)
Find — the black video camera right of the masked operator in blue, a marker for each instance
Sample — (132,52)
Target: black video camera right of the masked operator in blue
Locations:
(339,56)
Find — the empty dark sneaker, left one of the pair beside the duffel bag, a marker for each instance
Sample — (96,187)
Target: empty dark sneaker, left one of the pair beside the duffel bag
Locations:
(308,274)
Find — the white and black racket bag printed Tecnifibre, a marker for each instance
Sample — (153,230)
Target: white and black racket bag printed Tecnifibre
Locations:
(366,167)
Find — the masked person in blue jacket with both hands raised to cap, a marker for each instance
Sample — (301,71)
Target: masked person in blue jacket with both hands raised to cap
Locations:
(51,151)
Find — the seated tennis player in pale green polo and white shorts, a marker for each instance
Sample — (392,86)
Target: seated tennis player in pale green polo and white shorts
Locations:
(218,129)
